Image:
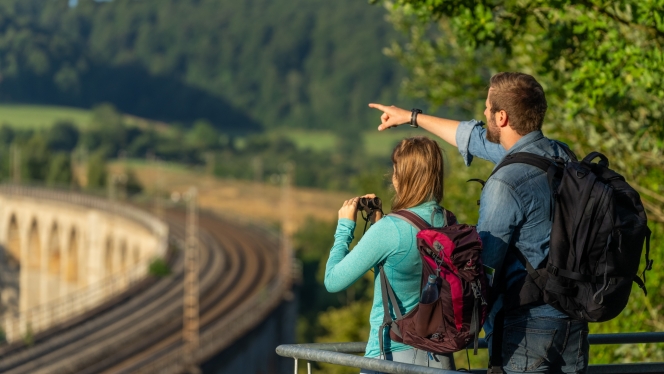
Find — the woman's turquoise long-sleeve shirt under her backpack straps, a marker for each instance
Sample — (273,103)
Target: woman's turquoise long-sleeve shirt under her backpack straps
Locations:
(392,241)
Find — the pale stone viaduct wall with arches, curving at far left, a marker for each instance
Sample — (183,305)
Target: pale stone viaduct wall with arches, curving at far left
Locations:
(63,253)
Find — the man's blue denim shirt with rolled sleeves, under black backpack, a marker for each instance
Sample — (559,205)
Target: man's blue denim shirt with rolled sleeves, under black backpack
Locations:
(516,207)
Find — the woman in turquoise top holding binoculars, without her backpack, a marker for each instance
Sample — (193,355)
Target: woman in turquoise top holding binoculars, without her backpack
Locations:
(418,182)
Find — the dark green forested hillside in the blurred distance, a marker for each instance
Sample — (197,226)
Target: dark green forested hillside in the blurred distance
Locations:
(243,65)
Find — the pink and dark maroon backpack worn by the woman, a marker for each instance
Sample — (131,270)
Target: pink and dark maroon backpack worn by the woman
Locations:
(452,253)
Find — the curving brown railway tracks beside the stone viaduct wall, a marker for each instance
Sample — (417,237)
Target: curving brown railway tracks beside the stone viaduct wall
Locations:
(237,264)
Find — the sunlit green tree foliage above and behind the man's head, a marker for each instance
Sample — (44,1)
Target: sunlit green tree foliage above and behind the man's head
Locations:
(600,63)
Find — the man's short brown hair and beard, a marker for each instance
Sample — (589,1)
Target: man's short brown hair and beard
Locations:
(522,97)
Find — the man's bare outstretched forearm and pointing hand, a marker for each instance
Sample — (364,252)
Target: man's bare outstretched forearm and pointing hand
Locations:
(393,116)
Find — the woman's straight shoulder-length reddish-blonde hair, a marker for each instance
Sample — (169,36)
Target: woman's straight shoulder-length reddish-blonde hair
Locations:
(419,172)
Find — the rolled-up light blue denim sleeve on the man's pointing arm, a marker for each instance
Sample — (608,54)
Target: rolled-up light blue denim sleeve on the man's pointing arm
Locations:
(471,141)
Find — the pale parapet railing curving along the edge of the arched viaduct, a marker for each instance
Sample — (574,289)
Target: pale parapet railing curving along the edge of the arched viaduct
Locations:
(82,299)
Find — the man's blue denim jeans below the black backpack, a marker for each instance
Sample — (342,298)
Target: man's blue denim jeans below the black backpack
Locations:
(545,345)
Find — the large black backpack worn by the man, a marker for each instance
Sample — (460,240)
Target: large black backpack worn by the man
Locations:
(597,236)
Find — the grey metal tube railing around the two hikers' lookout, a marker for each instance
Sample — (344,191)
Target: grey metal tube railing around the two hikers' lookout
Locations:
(345,354)
